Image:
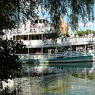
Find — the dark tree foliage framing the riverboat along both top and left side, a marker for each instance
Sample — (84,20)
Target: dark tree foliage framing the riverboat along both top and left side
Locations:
(11,10)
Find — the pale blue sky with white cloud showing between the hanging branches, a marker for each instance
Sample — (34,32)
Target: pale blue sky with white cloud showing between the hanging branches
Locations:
(89,25)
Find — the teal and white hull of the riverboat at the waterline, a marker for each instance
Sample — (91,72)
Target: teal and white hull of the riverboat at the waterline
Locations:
(80,61)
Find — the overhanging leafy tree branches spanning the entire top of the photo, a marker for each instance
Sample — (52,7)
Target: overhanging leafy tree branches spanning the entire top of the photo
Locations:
(75,10)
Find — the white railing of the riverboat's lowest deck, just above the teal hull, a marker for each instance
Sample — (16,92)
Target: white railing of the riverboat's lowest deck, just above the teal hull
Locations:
(51,55)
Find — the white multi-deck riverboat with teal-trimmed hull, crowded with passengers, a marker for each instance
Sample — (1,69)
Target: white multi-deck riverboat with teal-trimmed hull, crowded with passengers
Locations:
(45,49)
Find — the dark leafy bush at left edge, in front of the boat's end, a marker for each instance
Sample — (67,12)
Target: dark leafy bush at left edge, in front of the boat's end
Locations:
(9,68)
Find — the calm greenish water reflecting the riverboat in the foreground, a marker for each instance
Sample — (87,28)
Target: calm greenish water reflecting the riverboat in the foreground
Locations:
(66,81)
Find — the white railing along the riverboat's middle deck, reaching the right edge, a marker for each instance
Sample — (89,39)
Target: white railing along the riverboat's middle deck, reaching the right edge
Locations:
(68,41)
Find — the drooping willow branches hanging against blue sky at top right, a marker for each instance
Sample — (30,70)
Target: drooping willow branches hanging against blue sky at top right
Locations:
(75,10)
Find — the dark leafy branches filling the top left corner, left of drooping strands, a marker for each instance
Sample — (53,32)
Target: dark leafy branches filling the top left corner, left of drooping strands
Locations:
(10,11)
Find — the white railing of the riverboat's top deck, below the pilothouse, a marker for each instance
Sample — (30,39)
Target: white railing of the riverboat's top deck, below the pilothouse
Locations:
(39,29)
